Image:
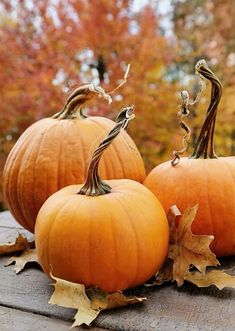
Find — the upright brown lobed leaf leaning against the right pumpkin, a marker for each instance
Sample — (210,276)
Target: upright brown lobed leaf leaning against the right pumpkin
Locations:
(187,249)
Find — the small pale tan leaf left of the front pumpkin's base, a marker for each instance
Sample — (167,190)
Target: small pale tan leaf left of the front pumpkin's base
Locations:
(29,255)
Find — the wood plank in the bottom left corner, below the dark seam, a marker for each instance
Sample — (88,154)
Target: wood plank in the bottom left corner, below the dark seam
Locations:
(16,320)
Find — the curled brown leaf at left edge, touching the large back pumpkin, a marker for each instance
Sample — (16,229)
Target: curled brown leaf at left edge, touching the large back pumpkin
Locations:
(19,243)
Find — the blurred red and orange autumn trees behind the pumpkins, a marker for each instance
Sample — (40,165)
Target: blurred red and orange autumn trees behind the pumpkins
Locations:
(47,47)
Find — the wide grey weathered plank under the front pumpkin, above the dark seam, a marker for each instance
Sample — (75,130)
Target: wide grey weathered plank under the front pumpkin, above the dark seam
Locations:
(167,308)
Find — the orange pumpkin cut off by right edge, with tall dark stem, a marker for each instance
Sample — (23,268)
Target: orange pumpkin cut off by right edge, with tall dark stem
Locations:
(202,178)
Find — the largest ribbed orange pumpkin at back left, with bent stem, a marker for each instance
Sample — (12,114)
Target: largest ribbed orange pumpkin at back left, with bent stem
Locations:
(53,153)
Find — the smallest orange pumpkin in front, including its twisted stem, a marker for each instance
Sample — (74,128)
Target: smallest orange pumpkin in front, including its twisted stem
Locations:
(113,234)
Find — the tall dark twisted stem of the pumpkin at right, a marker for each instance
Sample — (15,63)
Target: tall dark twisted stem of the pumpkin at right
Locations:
(204,147)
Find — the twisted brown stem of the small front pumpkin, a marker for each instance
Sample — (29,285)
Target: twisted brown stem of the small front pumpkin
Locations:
(94,185)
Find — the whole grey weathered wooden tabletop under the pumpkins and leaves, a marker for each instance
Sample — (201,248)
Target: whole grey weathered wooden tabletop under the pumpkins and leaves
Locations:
(24,303)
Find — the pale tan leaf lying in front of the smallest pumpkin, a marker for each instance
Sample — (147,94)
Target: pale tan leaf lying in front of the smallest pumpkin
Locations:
(88,303)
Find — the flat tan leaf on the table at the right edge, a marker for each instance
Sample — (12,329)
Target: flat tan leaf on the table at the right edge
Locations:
(218,278)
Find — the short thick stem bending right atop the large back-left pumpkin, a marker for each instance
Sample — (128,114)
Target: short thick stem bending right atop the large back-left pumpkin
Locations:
(82,94)
